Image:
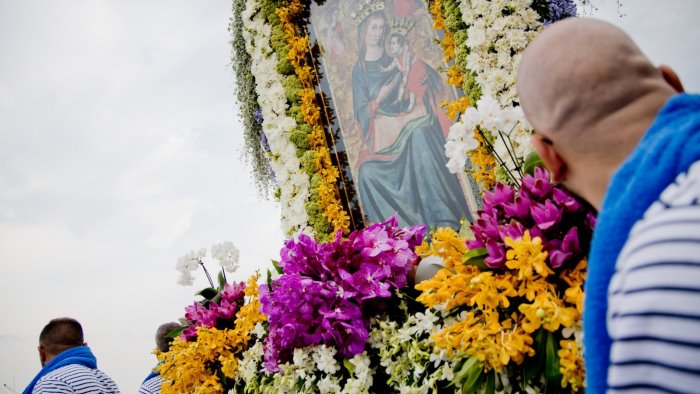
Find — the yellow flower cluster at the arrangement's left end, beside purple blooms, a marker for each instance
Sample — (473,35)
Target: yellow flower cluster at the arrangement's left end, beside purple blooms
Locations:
(193,367)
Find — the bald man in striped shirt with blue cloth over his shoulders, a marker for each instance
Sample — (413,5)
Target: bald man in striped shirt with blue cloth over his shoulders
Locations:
(621,134)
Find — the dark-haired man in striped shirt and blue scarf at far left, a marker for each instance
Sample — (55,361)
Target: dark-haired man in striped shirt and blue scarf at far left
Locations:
(68,365)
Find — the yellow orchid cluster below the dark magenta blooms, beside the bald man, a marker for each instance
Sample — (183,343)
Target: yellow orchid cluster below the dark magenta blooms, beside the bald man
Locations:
(501,310)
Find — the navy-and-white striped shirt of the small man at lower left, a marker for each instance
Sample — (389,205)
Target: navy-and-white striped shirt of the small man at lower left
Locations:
(76,379)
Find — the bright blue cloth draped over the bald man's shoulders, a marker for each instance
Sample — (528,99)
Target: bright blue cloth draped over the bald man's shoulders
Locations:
(669,148)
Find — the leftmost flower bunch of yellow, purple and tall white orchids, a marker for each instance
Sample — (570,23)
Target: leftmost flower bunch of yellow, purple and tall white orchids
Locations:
(215,331)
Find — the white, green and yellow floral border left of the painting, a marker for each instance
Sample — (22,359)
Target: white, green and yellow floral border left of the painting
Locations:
(290,108)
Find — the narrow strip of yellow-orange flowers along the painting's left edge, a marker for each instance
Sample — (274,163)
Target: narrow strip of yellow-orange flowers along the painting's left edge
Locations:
(299,56)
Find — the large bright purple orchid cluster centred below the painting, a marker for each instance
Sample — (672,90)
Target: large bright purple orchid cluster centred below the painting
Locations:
(328,292)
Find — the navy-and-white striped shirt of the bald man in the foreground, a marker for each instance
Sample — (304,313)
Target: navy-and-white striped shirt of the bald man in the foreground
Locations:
(654,297)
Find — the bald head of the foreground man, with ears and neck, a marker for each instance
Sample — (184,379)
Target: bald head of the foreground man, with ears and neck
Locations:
(590,94)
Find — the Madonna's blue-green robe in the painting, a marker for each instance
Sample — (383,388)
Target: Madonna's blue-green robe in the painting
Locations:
(409,177)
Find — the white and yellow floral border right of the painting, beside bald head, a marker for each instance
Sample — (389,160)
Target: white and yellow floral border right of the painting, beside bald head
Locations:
(485,39)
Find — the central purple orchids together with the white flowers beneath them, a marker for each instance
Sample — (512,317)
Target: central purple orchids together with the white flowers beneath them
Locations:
(322,309)
